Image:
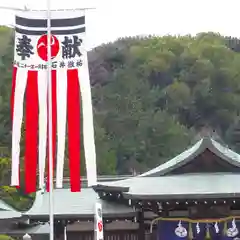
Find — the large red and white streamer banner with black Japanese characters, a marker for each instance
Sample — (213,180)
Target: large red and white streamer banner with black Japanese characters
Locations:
(70,85)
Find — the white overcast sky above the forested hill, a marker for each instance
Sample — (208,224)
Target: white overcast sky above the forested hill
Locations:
(119,18)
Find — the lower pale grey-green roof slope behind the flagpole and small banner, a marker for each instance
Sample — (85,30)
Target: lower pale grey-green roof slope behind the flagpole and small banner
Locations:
(75,205)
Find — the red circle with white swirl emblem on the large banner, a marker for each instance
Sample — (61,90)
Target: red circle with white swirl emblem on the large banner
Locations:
(42,47)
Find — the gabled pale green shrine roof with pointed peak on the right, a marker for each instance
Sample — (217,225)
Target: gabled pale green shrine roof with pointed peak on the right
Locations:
(167,182)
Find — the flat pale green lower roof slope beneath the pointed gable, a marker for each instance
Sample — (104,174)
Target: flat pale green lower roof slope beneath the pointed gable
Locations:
(190,186)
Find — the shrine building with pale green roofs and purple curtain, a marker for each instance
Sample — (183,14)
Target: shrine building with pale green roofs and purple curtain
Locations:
(195,195)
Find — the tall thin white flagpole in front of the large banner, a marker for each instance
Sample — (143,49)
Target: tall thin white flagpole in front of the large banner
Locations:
(49,76)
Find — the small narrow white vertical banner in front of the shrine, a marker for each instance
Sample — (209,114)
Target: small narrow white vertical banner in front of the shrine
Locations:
(98,221)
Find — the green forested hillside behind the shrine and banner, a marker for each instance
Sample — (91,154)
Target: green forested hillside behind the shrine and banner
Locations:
(151,97)
